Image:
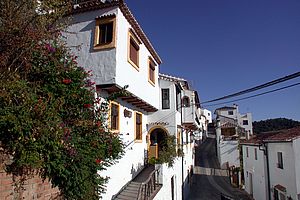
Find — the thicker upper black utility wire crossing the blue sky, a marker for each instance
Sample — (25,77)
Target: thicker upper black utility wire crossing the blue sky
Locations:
(286,78)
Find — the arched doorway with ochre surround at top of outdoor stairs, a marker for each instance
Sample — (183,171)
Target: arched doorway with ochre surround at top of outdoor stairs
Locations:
(157,137)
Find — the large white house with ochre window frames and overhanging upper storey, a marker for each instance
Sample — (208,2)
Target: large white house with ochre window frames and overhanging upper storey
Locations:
(109,41)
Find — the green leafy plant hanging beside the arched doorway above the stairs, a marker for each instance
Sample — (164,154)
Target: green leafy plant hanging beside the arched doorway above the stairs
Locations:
(168,152)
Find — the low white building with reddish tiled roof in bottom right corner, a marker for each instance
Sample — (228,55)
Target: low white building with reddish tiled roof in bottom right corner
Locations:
(272,170)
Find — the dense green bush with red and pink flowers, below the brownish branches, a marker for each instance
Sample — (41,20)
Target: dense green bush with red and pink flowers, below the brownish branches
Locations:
(49,124)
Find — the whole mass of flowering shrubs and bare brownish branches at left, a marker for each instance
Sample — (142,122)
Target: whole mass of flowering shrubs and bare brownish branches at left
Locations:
(50,122)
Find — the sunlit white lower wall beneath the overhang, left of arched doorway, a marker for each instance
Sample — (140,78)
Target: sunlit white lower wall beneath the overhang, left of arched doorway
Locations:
(133,160)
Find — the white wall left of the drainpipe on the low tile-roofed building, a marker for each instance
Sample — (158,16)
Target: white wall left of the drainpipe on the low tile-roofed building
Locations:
(258,170)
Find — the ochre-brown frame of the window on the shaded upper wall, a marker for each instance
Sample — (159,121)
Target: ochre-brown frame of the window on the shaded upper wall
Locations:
(97,35)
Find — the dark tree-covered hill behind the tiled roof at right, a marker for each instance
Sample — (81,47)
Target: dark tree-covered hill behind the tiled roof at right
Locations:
(274,125)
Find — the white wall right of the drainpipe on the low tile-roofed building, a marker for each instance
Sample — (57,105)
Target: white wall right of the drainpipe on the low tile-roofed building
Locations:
(286,176)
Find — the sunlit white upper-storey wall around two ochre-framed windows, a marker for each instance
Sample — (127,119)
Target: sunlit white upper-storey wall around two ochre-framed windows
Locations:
(126,74)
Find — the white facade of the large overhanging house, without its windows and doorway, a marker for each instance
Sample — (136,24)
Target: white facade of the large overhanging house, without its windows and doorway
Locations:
(111,71)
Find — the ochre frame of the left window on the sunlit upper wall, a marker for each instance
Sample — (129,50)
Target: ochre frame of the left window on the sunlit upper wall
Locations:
(133,39)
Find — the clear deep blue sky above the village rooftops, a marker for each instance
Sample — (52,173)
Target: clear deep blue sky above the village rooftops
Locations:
(225,46)
